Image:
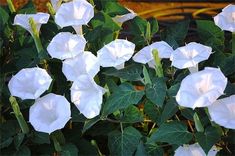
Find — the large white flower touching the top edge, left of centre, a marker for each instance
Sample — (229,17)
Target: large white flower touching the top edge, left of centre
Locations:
(74,13)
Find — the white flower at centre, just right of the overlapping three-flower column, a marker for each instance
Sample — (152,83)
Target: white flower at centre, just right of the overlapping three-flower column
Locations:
(116,53)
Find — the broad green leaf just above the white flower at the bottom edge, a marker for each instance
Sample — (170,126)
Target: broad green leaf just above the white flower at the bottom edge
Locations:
(172,133)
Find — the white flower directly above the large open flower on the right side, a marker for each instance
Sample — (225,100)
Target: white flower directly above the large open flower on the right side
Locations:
(190,55)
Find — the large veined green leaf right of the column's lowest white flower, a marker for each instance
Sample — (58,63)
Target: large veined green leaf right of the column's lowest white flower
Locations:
(124,96)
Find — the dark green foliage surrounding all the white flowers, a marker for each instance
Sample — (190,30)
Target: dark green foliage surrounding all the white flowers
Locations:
(139,114)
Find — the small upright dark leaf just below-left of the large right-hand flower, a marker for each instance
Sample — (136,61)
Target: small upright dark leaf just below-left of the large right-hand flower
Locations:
(169,110)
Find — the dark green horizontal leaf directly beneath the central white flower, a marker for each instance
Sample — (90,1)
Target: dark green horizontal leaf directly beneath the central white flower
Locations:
(130,73)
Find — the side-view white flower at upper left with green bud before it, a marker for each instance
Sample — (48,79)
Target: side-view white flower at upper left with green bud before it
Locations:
(23,20)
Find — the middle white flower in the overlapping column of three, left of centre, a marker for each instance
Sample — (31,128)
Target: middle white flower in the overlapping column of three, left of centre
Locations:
(84,63)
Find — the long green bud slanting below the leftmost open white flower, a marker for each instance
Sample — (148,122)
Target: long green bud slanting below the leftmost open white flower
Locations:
(19,116)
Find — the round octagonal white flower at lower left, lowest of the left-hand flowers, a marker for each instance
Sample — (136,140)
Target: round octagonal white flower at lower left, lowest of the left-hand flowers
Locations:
(49,113)
